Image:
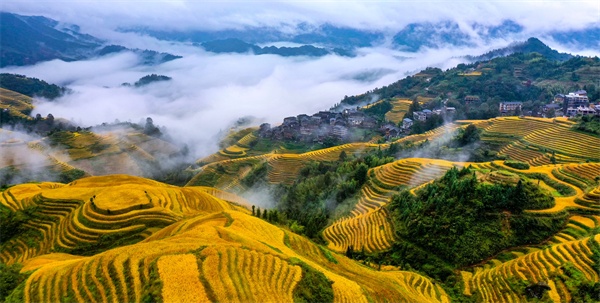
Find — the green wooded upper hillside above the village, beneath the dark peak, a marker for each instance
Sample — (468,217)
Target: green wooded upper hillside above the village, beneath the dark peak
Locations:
(527,77)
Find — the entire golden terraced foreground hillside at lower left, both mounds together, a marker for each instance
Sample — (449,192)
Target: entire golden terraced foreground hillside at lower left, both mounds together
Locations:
(215,249)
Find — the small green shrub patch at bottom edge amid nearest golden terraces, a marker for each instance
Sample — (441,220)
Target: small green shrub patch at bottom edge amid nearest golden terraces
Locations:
(313,287)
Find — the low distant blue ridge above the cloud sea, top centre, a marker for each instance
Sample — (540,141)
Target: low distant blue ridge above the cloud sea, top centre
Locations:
(232,45)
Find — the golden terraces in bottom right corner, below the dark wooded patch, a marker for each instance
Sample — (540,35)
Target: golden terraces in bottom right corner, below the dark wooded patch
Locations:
(493,284)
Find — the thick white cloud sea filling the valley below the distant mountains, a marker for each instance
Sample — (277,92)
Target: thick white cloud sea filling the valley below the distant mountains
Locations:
(208,92)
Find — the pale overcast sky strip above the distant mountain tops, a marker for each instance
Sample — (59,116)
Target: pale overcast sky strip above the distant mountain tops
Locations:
(535,16)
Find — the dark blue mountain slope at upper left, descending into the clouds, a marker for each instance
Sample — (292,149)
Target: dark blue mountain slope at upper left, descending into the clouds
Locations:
(28,40)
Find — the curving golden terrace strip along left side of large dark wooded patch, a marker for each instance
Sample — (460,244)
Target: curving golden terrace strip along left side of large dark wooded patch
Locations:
(368,225)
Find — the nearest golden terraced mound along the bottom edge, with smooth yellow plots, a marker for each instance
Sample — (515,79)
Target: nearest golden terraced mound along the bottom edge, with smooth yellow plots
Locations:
(220,256)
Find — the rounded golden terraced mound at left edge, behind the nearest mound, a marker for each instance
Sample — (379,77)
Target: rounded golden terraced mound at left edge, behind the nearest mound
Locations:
(82,212)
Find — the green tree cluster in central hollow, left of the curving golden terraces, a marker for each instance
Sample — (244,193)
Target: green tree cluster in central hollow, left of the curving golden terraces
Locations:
(307,205)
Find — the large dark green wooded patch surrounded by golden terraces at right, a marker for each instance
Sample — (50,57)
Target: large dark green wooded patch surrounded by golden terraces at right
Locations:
(458,221)
